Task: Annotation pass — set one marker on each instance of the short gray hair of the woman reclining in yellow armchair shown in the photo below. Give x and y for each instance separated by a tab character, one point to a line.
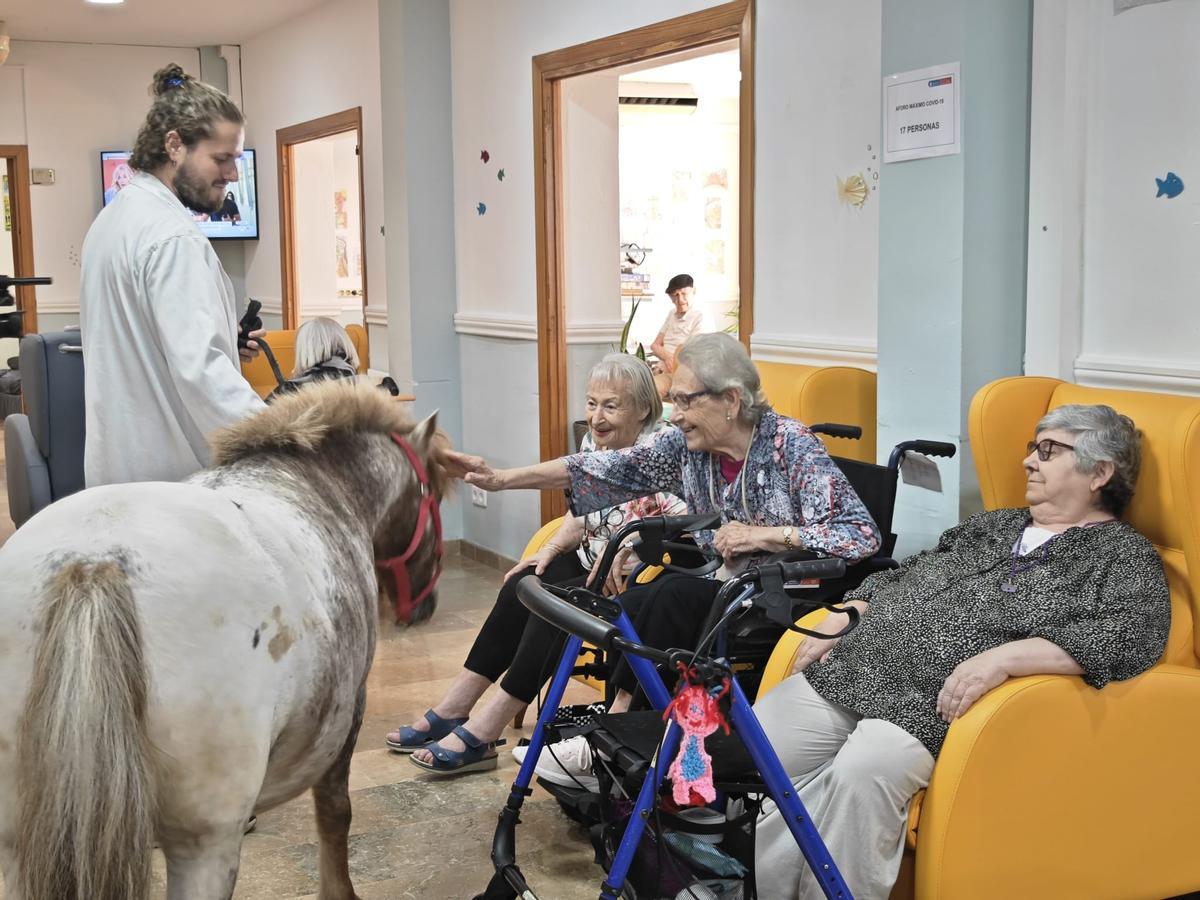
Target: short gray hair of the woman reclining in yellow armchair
1101	435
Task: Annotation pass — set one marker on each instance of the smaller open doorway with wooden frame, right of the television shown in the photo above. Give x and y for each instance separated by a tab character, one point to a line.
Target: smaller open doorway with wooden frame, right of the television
325	271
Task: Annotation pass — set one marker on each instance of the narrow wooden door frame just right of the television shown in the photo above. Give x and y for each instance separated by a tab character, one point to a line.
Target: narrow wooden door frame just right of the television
285	141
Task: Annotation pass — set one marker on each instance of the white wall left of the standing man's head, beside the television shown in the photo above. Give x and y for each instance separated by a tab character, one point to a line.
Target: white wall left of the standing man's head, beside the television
68	103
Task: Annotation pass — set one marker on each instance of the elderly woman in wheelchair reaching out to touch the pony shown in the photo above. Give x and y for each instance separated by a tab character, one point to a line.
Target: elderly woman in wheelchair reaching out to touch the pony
770	478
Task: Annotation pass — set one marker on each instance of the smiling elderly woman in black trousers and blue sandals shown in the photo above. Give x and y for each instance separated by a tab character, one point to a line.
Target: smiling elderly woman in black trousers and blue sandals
623	409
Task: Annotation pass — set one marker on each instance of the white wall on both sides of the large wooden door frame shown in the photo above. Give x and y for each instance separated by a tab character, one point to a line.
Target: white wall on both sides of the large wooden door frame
818	83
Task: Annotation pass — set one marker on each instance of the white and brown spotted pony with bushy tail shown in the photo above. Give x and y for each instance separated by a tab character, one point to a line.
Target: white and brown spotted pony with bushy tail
175	657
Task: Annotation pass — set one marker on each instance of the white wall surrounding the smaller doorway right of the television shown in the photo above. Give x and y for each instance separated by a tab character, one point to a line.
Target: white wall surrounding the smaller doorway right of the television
321	63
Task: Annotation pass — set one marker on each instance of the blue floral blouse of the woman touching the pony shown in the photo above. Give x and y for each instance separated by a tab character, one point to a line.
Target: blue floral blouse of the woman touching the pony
788	478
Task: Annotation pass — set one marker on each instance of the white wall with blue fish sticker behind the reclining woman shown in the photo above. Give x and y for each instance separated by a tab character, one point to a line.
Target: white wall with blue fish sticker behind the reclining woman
1113	268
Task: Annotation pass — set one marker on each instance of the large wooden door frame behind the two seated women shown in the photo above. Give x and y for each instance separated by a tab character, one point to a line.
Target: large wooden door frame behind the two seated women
700	29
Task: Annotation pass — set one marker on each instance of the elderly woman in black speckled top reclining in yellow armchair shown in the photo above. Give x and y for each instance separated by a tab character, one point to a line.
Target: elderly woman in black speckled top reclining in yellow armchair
1060	589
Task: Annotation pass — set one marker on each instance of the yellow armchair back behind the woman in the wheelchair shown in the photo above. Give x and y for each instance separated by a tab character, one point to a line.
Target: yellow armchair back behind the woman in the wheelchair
826	394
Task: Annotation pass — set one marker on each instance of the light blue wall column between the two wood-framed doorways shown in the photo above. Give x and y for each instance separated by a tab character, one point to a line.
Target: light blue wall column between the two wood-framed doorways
419	195
